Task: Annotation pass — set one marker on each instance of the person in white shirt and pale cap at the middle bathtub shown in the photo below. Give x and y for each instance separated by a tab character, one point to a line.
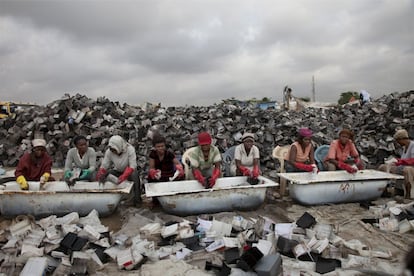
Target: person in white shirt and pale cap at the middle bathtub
247	157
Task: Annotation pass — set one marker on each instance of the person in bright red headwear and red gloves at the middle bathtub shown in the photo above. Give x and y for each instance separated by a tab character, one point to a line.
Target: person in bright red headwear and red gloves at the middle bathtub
204	161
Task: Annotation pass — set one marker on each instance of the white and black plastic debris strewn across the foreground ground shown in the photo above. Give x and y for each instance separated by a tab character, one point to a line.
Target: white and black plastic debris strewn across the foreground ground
227	243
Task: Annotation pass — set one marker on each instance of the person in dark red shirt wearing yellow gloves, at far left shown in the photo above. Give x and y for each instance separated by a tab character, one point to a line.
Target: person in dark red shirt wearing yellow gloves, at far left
34	166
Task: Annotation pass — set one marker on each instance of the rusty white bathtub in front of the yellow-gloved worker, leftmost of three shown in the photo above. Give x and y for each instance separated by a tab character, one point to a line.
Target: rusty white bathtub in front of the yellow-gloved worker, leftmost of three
57	198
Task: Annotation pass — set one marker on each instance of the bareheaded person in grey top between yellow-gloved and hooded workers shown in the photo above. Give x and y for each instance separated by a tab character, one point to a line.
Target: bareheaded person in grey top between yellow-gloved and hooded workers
81	157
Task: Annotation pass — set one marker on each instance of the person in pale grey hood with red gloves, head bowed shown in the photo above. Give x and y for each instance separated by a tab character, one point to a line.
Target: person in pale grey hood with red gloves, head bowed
120	160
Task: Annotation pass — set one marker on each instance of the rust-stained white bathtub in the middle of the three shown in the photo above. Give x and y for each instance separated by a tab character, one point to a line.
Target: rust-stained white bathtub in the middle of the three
189	197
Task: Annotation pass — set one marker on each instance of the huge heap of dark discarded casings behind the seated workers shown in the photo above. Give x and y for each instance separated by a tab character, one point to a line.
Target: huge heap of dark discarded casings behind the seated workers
60	121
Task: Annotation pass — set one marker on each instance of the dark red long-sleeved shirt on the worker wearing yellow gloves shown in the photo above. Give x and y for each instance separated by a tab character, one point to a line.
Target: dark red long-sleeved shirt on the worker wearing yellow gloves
33	168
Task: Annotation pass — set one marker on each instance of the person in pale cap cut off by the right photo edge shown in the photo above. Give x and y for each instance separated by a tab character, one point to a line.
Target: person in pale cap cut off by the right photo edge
405	164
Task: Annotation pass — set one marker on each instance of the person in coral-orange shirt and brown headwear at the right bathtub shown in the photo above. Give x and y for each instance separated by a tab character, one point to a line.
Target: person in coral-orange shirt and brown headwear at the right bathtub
343	154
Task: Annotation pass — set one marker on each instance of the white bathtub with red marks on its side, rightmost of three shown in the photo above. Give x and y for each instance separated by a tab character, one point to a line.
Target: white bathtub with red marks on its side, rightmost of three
337	186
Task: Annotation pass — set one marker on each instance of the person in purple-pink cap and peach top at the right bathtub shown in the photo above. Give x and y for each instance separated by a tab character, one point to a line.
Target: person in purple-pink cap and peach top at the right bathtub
301	153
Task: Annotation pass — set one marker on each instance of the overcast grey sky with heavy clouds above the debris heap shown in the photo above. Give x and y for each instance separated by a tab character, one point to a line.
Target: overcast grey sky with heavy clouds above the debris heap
199	52
